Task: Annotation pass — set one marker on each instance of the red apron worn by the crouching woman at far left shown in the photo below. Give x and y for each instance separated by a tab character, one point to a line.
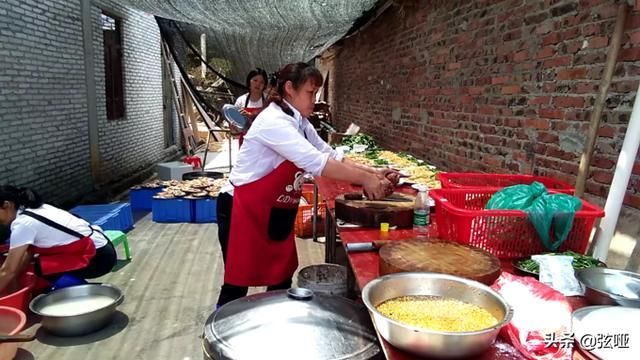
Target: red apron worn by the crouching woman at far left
65	258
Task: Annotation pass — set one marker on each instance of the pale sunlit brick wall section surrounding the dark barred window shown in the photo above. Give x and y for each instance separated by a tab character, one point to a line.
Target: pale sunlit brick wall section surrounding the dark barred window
137	140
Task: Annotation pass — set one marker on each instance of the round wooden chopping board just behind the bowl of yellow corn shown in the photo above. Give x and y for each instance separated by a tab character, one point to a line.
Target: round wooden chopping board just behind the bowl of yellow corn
441	257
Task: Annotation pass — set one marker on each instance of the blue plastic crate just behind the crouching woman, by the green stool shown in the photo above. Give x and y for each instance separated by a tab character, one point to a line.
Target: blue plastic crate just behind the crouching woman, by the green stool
107	216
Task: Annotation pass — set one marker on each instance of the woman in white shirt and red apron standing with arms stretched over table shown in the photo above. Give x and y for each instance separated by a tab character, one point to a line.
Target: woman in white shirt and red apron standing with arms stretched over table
279	149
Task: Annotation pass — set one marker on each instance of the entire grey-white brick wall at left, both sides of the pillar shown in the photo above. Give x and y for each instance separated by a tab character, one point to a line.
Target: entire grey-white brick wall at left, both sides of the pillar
44	143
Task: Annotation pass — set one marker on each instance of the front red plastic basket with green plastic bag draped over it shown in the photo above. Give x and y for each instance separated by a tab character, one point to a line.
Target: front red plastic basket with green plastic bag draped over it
507	234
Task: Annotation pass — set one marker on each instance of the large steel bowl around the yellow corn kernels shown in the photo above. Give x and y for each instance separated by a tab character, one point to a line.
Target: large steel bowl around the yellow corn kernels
429	342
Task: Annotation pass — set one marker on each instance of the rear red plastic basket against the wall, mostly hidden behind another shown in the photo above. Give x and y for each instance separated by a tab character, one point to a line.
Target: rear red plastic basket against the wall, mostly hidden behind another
479	180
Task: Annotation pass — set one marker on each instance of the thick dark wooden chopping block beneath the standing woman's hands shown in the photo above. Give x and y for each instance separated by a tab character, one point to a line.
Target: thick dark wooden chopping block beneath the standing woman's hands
396	209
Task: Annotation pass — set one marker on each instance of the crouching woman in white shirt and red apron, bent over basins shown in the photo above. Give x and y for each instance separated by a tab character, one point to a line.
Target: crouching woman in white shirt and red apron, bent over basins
65	244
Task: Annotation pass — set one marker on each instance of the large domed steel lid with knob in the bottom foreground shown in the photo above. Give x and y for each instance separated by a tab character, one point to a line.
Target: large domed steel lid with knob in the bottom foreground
296	324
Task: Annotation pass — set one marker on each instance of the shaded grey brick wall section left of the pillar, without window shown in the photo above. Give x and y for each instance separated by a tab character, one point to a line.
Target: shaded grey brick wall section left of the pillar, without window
43	98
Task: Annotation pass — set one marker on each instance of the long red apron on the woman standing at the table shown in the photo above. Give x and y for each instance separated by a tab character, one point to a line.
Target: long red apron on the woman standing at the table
262	249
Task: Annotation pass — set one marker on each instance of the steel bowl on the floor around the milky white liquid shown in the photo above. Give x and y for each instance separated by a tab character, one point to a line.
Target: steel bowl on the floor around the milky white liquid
81	324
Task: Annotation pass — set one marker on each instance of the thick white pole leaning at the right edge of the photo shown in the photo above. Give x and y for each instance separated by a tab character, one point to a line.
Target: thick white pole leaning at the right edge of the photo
624	167
